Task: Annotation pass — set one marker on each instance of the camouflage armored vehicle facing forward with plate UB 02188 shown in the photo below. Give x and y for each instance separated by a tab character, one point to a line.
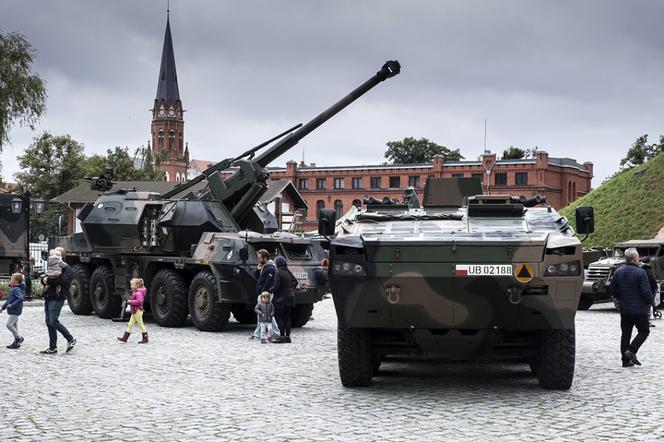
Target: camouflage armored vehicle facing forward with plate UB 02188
498	276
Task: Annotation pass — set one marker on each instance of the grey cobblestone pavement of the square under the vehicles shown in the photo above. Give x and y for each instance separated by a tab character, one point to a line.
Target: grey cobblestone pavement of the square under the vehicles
187	384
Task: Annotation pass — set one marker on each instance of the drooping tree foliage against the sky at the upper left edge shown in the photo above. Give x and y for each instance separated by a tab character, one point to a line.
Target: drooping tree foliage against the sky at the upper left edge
22	93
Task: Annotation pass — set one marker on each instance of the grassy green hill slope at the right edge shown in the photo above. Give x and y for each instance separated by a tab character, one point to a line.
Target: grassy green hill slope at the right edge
628	206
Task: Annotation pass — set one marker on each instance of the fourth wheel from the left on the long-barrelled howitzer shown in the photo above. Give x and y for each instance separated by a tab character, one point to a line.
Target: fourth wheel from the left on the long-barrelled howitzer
207	313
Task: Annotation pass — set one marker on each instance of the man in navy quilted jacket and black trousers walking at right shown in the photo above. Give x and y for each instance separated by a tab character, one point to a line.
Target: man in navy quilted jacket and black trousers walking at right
630	285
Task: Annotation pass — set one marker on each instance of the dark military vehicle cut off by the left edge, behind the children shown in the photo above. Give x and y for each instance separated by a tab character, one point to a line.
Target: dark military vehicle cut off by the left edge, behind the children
12	236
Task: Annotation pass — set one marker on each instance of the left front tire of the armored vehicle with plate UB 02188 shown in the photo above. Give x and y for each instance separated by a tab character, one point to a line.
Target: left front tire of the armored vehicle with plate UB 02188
356	363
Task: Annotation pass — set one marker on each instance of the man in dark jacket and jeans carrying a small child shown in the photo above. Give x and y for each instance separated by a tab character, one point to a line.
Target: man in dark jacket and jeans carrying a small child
56	290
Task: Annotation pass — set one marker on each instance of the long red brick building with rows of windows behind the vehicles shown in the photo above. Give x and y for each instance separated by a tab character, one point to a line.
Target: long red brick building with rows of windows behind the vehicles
562	180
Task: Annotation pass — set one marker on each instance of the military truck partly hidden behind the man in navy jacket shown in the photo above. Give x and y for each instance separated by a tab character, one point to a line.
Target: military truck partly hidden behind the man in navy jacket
599	274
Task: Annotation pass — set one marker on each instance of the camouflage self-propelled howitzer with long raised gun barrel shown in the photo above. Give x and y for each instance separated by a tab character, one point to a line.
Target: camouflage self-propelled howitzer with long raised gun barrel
195	246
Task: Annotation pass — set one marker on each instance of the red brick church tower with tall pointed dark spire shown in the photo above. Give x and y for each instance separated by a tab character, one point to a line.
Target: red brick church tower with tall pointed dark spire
168	146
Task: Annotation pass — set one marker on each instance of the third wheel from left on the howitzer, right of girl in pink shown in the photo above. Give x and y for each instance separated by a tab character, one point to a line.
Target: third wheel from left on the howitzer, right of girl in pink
168	298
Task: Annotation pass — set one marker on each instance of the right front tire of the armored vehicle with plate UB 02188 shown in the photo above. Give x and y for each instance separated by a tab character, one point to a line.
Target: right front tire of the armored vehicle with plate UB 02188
555	360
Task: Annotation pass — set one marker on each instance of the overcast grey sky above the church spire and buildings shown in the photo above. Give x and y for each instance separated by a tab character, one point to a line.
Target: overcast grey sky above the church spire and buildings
579	79
